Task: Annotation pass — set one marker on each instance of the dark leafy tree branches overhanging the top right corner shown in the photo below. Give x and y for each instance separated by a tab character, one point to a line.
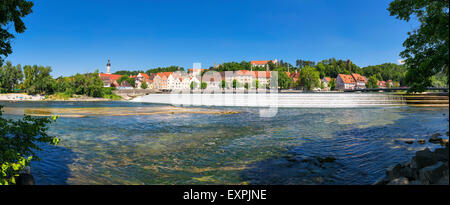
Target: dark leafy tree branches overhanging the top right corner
426	48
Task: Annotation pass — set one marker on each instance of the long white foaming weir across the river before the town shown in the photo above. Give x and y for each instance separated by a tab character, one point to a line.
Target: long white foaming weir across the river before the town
288	100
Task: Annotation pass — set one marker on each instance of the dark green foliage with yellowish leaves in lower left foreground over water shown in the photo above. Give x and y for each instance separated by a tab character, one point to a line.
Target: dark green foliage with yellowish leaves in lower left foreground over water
19	141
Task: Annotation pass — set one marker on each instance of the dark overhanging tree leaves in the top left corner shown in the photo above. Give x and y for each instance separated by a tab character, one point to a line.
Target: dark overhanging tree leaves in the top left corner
12	12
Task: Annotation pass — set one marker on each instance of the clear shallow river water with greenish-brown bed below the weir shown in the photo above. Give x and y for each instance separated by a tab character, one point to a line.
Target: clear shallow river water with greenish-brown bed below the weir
232	149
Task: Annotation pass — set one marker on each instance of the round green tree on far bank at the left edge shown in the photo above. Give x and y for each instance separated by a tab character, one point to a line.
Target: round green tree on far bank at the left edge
10	77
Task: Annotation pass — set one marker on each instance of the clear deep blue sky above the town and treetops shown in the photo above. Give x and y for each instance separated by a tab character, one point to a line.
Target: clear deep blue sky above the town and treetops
78	36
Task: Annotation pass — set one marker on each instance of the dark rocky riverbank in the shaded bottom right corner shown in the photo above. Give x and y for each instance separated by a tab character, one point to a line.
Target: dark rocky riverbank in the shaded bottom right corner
425	168
